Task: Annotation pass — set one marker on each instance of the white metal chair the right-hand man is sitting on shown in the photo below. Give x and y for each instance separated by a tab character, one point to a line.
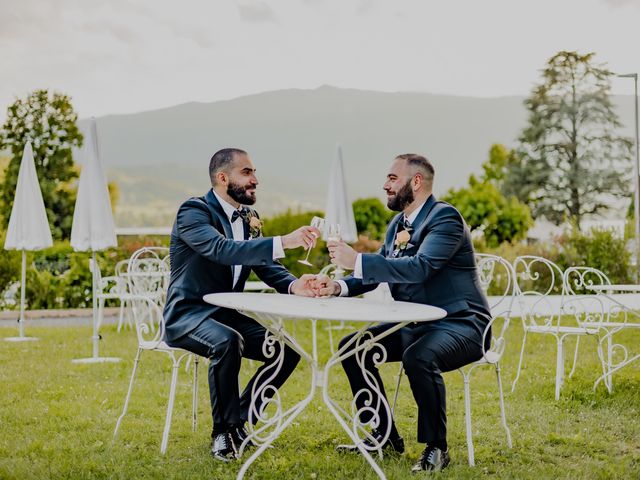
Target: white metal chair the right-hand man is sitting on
497	279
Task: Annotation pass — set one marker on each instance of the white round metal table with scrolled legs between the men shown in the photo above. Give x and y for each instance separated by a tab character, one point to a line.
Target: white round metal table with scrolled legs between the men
270	310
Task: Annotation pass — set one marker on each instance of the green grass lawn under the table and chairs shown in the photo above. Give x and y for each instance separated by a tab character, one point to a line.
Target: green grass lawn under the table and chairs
57	418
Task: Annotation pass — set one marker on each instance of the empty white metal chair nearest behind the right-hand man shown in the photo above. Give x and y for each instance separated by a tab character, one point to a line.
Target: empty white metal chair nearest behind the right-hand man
540	295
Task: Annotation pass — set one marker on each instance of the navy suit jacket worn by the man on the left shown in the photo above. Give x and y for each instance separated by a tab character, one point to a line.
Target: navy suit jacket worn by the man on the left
202	254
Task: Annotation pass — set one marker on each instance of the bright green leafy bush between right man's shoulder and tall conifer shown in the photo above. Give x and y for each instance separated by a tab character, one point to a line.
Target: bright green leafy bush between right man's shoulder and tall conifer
486	209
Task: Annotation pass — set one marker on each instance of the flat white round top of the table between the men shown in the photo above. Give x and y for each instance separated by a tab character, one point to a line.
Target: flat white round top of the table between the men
331	308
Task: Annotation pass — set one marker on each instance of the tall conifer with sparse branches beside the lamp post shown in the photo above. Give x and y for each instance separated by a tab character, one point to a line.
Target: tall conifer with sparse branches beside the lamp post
572	162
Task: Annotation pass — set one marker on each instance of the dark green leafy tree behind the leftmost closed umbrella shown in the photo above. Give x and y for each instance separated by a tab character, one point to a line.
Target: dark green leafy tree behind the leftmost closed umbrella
49	122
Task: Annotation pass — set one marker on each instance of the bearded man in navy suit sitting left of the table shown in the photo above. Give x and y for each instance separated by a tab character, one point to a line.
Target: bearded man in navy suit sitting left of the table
212	251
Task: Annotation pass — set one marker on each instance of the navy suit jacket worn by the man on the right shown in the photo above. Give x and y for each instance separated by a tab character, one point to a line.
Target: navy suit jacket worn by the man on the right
438	268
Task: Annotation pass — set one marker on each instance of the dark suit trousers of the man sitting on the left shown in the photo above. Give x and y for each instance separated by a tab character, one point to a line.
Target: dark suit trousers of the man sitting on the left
224	341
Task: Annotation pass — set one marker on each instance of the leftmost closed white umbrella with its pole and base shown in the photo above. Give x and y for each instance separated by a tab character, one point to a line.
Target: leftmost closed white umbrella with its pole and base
28	225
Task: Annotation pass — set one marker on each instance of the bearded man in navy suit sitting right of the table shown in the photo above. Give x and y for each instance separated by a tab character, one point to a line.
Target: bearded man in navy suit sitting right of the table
428	258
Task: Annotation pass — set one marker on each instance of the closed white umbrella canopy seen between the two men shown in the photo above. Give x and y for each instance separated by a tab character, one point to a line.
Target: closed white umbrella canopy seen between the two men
339	209
